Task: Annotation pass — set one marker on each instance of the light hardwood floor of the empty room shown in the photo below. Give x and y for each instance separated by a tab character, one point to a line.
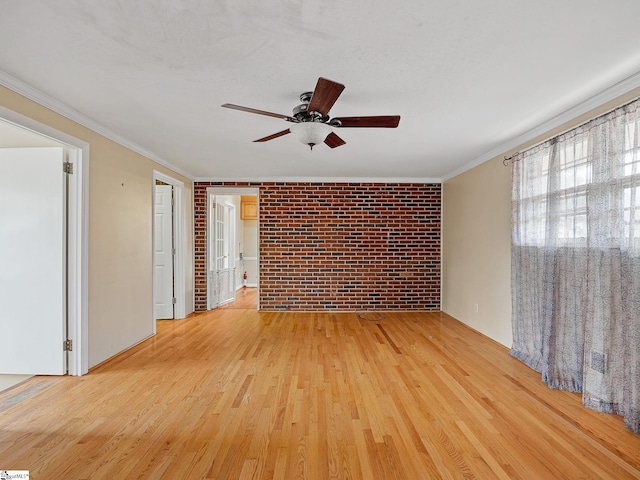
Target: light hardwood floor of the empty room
277	395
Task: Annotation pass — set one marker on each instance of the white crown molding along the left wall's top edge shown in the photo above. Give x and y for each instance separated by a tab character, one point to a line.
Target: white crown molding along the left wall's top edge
45	100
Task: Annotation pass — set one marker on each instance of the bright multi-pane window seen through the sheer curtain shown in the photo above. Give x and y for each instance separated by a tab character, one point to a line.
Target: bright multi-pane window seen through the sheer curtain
555	207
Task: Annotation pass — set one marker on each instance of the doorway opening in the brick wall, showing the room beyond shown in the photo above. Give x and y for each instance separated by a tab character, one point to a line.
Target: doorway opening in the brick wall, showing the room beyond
232	249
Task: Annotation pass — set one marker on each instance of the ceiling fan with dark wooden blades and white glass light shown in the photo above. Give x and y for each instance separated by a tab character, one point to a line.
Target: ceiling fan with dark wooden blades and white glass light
311	122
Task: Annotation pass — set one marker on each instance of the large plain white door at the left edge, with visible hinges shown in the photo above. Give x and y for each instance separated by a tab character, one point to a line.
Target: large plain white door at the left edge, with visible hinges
32	261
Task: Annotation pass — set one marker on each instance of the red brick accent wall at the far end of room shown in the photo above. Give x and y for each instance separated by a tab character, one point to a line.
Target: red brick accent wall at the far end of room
340	245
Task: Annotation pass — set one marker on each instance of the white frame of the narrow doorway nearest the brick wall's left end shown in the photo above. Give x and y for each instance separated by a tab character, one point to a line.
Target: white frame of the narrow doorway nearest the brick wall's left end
178	243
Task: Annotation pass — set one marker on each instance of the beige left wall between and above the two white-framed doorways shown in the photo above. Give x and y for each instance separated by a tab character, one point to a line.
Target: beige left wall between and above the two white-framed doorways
120	234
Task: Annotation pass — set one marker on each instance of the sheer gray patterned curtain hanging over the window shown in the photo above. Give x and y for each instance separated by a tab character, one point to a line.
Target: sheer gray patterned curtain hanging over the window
576	262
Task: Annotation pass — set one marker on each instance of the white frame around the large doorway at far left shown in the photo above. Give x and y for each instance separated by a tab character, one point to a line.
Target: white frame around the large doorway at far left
77	152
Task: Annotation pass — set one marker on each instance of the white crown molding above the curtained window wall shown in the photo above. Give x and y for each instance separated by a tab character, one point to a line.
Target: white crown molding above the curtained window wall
607	95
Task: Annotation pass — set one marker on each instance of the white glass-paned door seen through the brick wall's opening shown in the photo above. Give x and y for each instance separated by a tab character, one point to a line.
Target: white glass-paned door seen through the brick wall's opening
222	275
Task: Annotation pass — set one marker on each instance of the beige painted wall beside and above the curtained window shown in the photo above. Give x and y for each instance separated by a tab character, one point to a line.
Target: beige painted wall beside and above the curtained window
476	239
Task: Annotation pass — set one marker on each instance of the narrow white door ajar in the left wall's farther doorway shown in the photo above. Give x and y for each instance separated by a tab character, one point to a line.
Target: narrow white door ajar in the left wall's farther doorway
163	253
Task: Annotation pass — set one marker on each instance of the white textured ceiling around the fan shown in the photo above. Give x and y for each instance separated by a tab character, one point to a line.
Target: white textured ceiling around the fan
469	78
